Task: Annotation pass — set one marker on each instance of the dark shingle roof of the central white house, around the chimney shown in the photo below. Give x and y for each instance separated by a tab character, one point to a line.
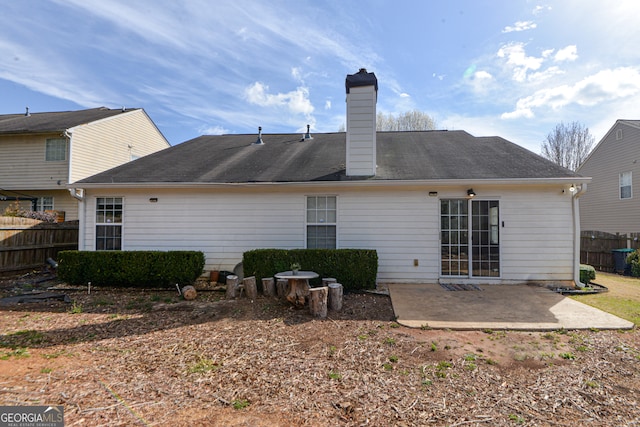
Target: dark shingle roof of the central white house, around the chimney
425	155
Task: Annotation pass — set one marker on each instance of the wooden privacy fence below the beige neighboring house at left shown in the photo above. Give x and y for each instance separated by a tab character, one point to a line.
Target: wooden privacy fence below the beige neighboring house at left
27	243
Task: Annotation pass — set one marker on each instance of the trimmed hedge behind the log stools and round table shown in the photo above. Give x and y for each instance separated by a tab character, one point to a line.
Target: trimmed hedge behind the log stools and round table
353	268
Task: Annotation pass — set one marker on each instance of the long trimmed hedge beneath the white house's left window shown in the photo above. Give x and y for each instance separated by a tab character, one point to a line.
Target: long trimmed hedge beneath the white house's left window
130	268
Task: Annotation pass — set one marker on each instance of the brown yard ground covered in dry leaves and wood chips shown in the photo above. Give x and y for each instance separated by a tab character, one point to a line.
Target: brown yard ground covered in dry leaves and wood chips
129	357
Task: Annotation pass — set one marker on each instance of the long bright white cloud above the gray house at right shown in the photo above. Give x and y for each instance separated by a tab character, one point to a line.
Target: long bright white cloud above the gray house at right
606	85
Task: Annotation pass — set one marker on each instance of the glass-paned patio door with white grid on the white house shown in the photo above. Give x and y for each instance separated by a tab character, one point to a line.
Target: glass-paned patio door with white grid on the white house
470	238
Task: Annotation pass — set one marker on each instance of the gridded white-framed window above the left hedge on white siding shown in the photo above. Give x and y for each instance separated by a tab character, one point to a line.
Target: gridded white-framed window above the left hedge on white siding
109	223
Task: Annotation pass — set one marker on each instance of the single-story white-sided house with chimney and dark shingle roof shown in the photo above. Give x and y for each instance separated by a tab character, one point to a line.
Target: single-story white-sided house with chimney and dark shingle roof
436	205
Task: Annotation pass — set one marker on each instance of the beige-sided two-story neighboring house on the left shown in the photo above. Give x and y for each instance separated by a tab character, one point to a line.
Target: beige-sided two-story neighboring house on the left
41	153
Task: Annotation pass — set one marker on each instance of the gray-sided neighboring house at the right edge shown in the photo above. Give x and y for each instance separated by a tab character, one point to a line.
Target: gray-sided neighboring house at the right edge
612	203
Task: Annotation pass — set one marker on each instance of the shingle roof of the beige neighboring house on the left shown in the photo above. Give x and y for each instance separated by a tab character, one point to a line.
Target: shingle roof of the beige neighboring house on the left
53	121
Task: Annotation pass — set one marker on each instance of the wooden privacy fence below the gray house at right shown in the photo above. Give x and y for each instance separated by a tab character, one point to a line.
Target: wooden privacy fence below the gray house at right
596	248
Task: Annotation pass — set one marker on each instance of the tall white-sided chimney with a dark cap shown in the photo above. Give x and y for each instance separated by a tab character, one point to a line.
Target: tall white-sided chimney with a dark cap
362	94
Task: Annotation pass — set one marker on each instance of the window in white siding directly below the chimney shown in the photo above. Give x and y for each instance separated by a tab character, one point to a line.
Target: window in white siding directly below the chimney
321	222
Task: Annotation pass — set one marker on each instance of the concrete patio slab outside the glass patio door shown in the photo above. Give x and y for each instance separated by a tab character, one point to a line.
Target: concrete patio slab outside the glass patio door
514	307
